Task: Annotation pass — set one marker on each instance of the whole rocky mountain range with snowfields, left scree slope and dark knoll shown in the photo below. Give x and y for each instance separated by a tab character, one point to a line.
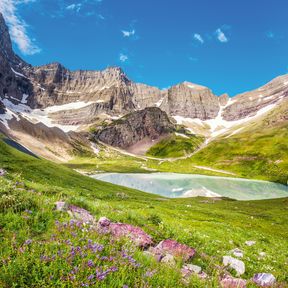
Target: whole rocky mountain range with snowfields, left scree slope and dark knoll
52	110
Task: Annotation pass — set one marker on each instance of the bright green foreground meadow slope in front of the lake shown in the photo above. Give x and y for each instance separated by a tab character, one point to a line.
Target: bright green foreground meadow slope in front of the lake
213	228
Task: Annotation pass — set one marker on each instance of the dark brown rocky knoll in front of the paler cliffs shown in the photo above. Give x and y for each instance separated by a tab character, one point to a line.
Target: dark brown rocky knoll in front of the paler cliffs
150	122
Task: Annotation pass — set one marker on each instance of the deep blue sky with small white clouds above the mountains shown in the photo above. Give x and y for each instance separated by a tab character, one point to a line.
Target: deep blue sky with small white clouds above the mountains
229	46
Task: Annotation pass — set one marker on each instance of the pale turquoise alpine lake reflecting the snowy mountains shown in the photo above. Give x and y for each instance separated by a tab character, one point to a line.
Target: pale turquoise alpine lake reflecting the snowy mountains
189	185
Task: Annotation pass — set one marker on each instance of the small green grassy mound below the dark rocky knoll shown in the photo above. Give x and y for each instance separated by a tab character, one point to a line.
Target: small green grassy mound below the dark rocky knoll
175	146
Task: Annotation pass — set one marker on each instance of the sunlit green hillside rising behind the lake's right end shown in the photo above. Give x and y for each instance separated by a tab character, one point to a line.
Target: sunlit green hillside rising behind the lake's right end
260	151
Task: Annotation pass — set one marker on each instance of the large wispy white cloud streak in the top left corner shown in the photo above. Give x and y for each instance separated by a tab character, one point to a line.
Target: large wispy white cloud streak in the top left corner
17	26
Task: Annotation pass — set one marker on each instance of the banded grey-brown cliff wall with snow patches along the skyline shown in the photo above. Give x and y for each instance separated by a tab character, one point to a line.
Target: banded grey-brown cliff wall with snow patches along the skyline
70	100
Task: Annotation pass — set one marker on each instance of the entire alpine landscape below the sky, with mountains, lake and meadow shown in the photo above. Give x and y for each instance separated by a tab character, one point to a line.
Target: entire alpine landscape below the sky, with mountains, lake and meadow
105	182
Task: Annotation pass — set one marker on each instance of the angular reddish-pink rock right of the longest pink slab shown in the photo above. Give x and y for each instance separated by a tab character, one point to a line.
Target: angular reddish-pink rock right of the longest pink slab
174	248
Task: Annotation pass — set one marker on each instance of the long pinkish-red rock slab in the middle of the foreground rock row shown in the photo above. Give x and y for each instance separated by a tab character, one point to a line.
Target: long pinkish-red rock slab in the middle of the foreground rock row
119	230
